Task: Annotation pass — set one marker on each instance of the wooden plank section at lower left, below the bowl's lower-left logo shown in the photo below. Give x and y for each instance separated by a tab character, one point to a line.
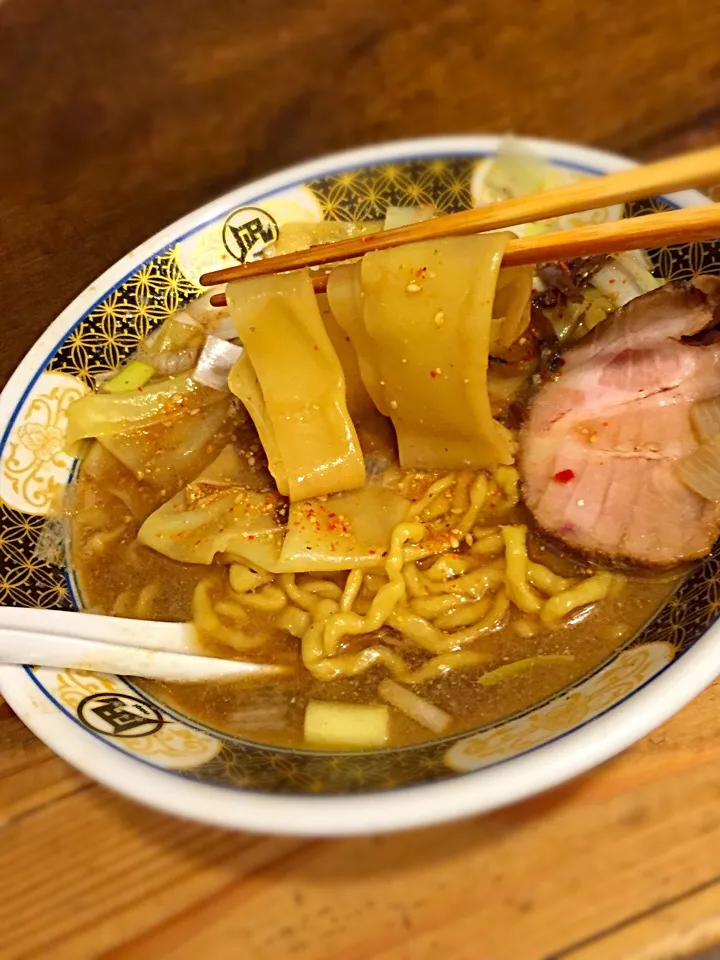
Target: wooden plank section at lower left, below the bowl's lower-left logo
91	870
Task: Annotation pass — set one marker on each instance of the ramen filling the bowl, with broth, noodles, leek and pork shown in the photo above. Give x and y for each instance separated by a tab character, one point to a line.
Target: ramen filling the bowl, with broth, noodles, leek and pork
435	495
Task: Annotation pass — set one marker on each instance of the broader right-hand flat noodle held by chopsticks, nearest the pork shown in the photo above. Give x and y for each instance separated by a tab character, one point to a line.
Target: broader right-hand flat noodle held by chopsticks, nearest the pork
428	312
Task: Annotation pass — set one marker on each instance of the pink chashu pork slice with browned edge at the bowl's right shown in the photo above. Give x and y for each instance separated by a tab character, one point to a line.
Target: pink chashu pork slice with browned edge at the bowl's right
600	448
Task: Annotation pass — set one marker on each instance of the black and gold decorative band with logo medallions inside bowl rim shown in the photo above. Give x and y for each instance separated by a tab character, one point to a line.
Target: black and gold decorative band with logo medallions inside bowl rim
33	471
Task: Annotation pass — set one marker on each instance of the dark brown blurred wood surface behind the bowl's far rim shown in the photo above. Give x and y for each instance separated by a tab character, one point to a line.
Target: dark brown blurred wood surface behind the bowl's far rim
167	123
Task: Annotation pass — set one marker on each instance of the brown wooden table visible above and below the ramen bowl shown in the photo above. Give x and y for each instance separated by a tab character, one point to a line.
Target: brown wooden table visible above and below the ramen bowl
116	118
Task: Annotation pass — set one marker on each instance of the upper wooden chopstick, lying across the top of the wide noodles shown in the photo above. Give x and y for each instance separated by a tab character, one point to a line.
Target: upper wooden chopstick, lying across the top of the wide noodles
692	169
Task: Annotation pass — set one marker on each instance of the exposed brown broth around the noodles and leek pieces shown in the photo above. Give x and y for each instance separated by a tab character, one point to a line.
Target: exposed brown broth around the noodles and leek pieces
107	508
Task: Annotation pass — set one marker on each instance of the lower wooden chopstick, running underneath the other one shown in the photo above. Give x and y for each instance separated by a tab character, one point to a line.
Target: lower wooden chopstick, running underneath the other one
653	230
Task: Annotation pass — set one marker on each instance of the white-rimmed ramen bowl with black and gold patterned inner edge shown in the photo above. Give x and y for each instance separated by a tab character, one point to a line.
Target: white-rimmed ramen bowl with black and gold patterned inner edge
114	731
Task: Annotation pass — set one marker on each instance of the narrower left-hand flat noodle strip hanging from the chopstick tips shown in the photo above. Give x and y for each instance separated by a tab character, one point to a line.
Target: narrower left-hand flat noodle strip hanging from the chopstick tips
301	383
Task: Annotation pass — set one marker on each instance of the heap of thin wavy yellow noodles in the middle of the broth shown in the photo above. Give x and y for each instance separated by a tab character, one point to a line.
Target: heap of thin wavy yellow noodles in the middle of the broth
456	601
